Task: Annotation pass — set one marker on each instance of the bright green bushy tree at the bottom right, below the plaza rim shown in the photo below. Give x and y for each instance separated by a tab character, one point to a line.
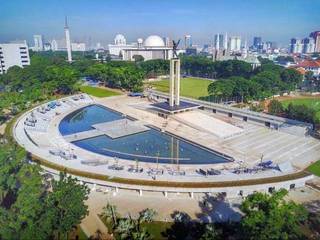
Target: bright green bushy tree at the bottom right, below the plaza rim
271	217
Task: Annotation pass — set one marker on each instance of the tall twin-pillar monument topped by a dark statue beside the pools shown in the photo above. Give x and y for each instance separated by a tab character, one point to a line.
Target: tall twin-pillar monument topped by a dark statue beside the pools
174	97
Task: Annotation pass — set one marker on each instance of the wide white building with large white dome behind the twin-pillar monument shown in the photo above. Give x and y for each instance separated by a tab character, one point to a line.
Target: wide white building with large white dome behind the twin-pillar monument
152	48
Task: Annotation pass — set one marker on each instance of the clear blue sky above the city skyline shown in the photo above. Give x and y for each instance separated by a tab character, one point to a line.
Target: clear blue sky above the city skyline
101	20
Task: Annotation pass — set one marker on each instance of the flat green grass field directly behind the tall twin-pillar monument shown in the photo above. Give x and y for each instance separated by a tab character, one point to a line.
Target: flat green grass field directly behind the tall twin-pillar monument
190	87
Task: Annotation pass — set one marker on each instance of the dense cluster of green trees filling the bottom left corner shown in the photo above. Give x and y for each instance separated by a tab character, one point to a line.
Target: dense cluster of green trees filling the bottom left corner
32	208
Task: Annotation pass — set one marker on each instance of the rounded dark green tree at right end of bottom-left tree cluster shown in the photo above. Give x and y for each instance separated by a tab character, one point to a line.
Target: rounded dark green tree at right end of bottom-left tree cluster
65	204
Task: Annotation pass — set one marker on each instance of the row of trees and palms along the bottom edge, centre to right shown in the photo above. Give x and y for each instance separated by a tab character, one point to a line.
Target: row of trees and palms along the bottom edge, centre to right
265	216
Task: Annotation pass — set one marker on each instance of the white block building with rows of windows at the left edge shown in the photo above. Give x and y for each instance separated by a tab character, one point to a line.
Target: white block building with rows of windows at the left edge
13	54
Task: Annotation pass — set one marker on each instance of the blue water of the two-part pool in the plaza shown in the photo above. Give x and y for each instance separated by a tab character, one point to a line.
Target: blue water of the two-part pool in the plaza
149	146
